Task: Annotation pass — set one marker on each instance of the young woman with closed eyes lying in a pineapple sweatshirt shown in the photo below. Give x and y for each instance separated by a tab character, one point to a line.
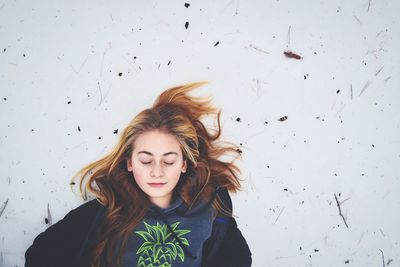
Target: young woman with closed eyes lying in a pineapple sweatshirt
160	197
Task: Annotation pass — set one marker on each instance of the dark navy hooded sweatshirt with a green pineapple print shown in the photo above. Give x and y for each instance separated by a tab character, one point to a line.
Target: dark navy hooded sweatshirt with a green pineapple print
69	242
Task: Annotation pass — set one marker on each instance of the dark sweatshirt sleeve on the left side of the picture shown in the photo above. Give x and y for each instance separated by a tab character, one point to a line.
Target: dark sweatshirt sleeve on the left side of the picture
61	243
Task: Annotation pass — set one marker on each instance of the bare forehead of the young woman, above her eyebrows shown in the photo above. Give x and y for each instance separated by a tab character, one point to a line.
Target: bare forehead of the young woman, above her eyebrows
156	142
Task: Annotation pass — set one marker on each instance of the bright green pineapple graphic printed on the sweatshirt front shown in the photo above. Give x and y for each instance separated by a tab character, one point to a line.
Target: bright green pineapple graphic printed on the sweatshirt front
160	248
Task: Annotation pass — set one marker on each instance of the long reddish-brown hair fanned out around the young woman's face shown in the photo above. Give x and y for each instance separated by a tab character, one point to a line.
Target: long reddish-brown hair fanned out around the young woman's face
108	180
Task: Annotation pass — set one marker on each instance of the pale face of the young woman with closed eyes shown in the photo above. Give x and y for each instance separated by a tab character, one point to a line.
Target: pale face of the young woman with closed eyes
157	163
